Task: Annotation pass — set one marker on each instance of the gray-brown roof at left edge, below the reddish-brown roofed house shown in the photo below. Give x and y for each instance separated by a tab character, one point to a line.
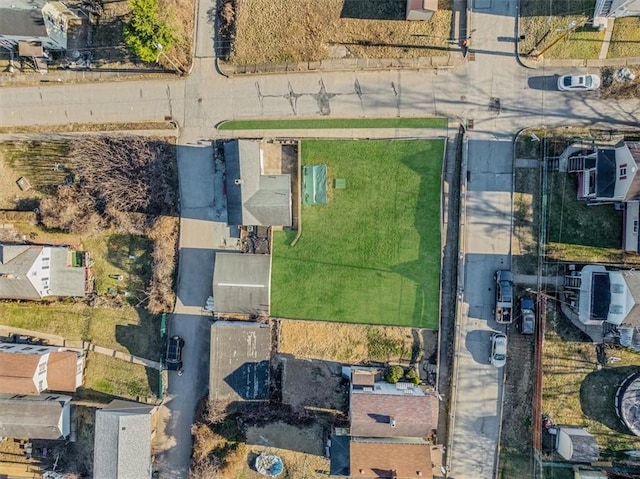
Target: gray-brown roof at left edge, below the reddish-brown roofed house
34	418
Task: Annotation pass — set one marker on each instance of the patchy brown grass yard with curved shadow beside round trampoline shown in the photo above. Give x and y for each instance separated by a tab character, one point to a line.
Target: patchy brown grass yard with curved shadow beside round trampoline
576	393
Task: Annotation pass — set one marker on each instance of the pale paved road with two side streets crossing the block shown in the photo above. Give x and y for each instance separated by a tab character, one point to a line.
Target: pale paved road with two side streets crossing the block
205	98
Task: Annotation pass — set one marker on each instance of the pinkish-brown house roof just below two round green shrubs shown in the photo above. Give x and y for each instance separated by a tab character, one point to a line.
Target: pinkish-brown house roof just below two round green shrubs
392	415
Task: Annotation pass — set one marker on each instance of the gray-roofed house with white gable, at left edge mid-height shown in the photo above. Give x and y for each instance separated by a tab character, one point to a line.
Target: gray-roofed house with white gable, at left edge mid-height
36	272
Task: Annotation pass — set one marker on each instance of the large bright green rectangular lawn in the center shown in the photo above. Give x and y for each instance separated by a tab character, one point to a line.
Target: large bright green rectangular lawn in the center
372	254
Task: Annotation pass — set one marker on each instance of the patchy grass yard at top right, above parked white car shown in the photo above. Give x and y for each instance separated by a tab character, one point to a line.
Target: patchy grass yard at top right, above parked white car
544	22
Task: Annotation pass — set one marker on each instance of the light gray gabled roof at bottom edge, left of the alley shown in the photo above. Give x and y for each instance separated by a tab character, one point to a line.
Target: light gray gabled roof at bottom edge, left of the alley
122	444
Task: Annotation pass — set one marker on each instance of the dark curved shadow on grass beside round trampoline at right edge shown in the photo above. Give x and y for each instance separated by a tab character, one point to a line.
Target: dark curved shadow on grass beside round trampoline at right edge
598	392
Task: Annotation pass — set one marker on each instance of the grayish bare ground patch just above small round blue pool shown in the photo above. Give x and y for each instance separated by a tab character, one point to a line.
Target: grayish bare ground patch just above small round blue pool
285	436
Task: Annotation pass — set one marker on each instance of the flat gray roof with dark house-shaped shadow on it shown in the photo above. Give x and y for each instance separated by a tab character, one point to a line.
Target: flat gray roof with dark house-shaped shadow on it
239	361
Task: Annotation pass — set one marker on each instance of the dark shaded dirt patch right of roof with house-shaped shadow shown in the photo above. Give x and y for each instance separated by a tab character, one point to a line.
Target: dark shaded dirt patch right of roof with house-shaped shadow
312	384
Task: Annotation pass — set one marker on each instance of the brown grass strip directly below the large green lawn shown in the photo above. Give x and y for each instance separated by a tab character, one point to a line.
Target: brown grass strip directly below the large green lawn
341	342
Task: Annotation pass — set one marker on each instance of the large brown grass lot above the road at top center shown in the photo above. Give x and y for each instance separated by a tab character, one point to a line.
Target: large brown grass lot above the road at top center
277	31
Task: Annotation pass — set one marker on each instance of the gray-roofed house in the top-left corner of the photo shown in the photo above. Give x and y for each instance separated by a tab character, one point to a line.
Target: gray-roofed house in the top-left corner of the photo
35	20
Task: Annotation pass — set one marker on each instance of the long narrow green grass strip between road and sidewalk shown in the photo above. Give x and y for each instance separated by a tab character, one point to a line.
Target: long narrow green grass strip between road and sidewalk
311	124
